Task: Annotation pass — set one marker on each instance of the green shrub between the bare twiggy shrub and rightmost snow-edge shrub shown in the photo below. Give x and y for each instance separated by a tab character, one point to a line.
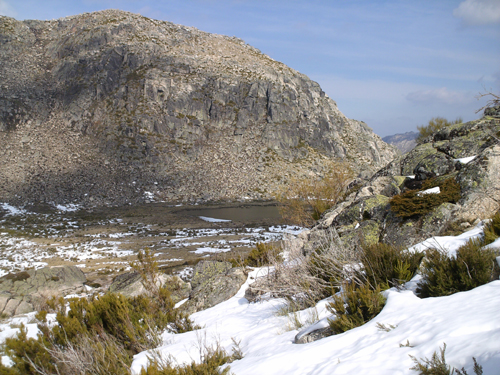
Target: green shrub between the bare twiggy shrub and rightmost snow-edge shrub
388	265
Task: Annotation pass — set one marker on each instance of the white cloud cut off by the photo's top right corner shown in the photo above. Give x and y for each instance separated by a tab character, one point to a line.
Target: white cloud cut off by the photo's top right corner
478	12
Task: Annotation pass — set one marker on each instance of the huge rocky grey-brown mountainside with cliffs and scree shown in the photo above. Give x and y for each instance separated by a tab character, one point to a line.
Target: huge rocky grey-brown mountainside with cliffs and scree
112	107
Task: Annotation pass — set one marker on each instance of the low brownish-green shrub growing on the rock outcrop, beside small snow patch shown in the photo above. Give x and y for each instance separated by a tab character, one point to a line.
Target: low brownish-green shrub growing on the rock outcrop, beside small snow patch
413	203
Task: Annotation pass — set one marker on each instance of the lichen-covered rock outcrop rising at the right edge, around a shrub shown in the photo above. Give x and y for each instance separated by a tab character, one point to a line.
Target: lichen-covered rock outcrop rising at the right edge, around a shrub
468	153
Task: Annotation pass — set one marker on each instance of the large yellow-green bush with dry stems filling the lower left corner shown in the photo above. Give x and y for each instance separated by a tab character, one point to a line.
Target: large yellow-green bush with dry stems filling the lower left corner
98	335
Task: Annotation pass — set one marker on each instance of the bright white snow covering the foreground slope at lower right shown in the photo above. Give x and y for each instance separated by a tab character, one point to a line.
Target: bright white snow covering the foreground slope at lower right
468	322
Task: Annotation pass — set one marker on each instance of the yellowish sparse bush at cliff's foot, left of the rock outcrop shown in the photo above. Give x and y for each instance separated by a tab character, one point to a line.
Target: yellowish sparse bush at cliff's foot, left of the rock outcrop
303	201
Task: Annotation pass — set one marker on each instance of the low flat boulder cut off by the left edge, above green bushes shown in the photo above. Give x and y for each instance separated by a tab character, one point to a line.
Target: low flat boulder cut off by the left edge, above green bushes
26	291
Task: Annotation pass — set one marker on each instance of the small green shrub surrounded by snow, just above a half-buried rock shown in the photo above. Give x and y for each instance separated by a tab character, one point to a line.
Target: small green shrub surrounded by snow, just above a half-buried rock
354	307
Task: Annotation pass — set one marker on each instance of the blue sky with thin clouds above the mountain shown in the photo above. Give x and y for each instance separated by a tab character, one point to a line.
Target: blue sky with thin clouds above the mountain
391	63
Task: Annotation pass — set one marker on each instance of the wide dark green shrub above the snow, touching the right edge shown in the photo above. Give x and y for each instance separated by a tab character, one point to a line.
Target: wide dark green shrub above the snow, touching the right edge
443	275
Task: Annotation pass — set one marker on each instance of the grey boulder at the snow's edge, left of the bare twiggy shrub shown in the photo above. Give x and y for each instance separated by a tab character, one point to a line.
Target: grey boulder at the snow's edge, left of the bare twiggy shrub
213	282
